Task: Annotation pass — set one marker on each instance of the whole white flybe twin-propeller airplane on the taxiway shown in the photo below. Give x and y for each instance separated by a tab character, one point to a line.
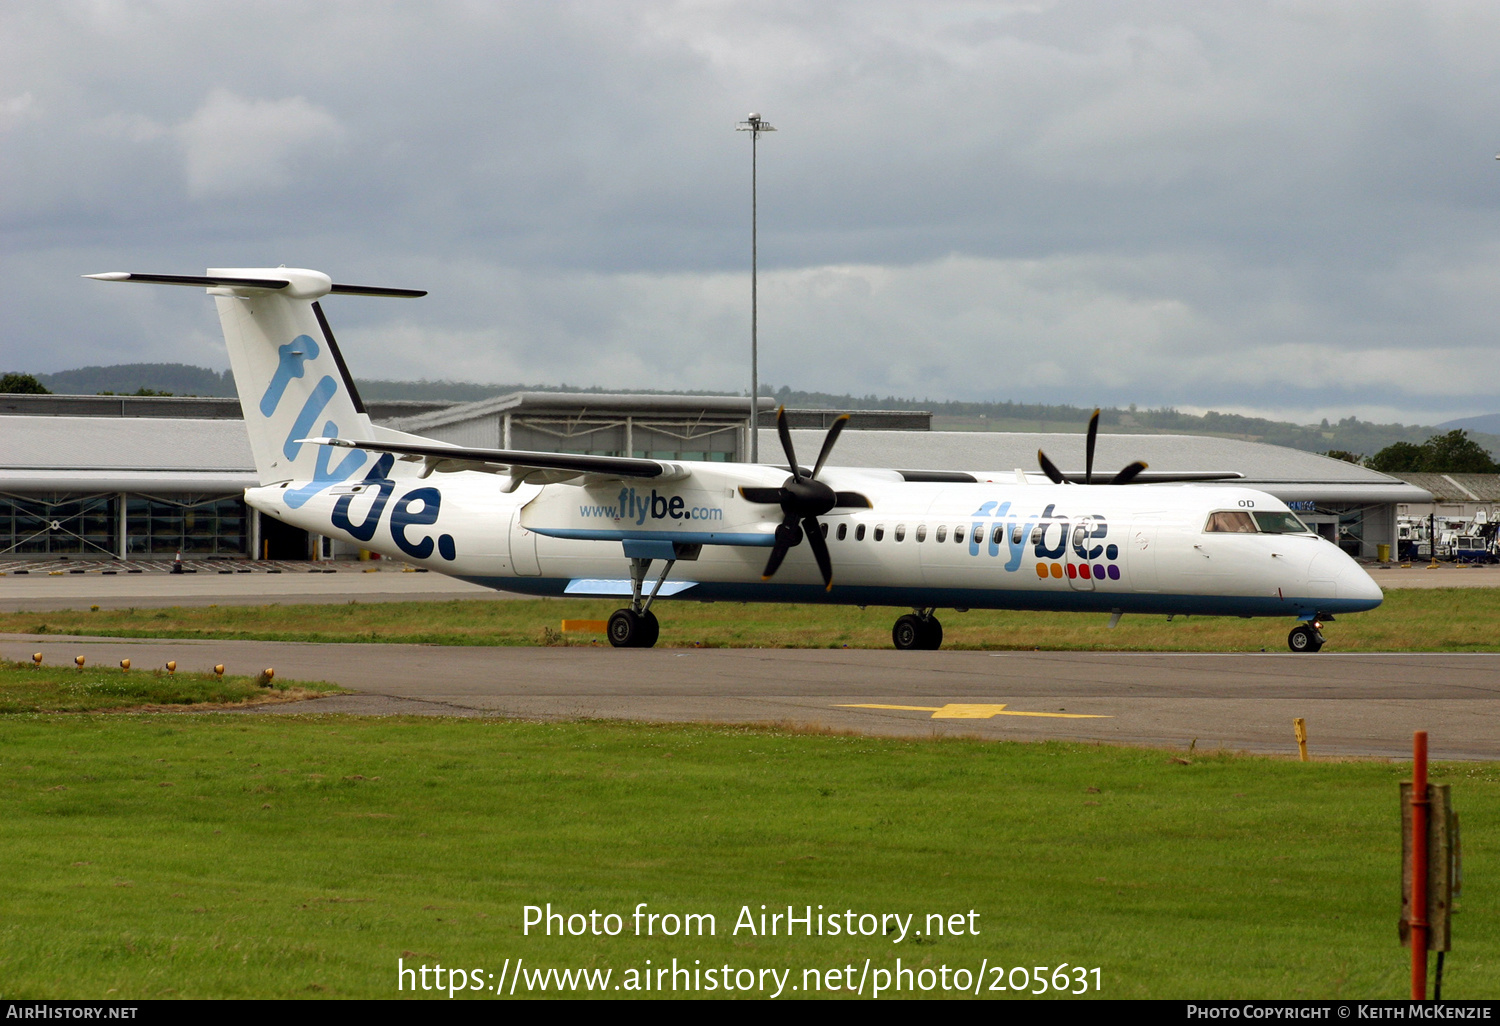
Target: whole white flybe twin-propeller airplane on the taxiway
559	524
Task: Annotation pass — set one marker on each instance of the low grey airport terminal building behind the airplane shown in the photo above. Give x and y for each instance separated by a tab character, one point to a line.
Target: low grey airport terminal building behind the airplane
127	478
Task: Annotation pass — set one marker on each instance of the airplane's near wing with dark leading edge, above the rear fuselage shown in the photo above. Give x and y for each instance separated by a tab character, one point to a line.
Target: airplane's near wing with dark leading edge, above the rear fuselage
520	466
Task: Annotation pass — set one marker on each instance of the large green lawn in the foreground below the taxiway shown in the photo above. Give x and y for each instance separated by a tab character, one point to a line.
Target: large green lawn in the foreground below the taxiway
226	856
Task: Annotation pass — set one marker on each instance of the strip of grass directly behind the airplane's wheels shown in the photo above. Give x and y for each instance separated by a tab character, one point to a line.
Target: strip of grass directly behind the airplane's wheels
1456	620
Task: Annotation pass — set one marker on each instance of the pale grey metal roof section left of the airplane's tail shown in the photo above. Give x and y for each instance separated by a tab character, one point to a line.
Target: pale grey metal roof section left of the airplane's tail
125	445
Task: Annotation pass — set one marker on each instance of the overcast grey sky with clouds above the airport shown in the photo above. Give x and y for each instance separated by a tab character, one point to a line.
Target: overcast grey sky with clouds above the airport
1279	208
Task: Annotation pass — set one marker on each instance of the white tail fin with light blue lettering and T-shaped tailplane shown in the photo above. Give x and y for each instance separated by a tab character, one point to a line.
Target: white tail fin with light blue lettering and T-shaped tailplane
289	371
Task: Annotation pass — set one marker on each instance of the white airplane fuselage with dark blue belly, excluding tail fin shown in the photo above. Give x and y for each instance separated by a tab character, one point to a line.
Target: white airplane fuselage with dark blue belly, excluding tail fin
997	545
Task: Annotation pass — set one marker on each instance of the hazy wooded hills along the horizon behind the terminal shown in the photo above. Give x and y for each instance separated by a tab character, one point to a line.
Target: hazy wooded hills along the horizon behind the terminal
1351	434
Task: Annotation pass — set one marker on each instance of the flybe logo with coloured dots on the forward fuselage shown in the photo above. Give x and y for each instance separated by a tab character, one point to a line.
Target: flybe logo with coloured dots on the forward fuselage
1061	547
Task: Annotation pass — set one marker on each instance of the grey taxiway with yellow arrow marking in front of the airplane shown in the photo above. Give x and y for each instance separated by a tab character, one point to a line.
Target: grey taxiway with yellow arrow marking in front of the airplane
1354	704
